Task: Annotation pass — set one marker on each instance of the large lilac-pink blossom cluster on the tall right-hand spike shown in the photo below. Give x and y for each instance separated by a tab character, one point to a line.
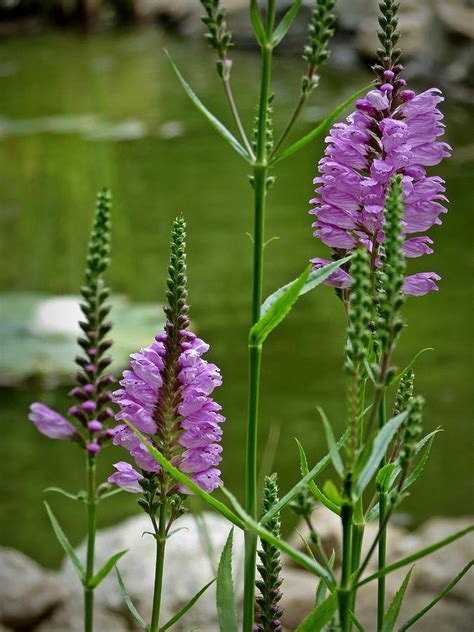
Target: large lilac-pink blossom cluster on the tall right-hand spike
391	132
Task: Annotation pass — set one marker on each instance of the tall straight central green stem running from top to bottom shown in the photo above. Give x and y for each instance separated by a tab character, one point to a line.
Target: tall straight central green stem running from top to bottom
260	170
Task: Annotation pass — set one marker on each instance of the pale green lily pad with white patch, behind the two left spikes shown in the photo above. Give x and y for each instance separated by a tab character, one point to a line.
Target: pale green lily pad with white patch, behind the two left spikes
39	332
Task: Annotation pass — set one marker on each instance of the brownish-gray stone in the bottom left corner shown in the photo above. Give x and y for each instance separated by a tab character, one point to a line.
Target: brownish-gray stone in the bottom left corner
27	591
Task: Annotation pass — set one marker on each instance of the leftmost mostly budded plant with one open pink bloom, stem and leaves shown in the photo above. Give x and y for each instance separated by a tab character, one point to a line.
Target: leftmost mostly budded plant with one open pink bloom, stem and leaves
90	416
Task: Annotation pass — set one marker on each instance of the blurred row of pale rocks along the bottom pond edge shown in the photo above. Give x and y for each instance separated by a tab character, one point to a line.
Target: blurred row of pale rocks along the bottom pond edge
40	600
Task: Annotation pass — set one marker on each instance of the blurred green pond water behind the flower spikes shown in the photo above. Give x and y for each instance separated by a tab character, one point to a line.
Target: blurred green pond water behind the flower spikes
80	112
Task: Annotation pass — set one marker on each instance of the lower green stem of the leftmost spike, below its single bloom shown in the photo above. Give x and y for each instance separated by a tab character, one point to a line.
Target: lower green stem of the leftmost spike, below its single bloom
91	527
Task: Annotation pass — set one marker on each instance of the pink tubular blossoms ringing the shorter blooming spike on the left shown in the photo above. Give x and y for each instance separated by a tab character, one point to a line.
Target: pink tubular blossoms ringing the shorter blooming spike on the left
195	446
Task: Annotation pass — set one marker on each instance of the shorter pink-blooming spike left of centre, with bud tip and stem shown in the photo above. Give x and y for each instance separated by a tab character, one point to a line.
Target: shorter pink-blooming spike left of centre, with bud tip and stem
166	395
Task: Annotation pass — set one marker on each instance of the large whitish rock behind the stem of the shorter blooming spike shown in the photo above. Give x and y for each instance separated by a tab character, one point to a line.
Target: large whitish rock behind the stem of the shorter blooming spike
187	568
